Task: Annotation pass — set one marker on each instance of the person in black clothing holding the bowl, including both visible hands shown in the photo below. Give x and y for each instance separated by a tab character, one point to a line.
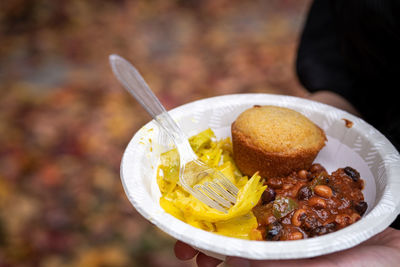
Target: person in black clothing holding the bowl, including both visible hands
348	57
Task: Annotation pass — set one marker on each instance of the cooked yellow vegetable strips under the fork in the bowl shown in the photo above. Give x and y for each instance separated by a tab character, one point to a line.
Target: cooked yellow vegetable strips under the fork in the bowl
239	221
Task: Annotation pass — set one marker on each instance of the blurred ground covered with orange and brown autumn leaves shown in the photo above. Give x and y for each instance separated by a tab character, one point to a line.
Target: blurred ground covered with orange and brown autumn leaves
65	120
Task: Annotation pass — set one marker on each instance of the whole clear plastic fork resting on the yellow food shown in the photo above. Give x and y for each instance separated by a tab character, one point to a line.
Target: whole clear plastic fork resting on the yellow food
219	192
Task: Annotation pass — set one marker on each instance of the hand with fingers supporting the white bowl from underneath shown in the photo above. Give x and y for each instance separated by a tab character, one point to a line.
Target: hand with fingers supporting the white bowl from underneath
380	250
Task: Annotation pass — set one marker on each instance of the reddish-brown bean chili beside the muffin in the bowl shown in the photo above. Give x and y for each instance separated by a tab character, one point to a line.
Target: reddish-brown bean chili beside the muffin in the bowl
310	203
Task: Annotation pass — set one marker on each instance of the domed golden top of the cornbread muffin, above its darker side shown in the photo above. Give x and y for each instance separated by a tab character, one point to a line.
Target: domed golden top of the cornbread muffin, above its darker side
278	130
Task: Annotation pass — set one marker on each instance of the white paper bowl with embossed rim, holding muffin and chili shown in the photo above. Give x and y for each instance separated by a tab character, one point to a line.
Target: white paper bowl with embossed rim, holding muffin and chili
361	147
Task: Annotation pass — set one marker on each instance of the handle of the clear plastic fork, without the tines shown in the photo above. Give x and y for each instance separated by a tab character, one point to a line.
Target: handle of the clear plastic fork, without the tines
134	83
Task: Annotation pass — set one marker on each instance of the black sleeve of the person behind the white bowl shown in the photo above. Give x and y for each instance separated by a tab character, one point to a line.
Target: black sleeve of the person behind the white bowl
352	48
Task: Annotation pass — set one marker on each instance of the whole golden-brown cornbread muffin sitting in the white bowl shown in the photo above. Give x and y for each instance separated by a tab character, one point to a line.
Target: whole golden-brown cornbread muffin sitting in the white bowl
274	141
